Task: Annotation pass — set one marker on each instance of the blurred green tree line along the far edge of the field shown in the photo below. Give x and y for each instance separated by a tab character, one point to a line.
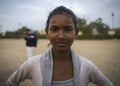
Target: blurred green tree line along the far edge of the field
94	30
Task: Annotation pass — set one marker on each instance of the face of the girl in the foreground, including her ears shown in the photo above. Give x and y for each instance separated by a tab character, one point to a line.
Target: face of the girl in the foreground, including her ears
61	32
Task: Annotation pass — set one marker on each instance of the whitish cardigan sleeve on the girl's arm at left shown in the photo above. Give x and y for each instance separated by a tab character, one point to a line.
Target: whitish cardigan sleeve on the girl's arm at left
19	75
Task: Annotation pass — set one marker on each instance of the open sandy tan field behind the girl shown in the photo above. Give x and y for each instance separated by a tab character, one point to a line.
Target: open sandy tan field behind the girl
104	53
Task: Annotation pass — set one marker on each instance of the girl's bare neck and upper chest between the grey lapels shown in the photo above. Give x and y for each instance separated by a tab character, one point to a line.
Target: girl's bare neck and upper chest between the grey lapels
62	67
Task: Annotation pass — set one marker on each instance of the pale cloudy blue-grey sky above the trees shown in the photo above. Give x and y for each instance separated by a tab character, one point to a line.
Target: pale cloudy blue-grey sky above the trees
34	13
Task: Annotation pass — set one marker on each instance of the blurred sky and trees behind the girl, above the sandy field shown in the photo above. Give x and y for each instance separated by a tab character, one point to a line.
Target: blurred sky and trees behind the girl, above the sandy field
96	19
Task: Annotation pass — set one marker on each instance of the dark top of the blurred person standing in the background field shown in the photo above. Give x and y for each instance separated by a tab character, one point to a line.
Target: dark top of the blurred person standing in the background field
31	40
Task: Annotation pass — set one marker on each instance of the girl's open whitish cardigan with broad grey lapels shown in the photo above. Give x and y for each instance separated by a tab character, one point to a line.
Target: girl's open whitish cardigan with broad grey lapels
40	69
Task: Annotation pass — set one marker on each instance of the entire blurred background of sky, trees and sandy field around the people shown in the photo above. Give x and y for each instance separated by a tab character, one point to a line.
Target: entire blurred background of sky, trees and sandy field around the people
98	22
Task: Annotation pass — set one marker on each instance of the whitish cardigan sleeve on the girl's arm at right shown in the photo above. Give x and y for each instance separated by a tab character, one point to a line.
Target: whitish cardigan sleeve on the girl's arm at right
97	77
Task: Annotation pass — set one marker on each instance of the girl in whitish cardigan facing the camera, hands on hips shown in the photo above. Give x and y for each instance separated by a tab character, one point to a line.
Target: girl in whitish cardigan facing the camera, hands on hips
59	66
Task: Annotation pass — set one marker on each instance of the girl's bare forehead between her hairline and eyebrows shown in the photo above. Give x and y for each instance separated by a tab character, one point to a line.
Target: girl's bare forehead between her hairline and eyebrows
61	18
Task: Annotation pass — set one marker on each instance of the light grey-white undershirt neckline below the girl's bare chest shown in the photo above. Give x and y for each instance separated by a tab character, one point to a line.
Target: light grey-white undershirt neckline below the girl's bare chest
63	83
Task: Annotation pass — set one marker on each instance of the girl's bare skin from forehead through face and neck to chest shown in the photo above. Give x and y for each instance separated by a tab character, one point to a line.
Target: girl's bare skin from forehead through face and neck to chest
61	33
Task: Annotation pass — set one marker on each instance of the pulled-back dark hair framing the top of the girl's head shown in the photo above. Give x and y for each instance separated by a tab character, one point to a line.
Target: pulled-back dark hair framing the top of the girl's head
61	10
